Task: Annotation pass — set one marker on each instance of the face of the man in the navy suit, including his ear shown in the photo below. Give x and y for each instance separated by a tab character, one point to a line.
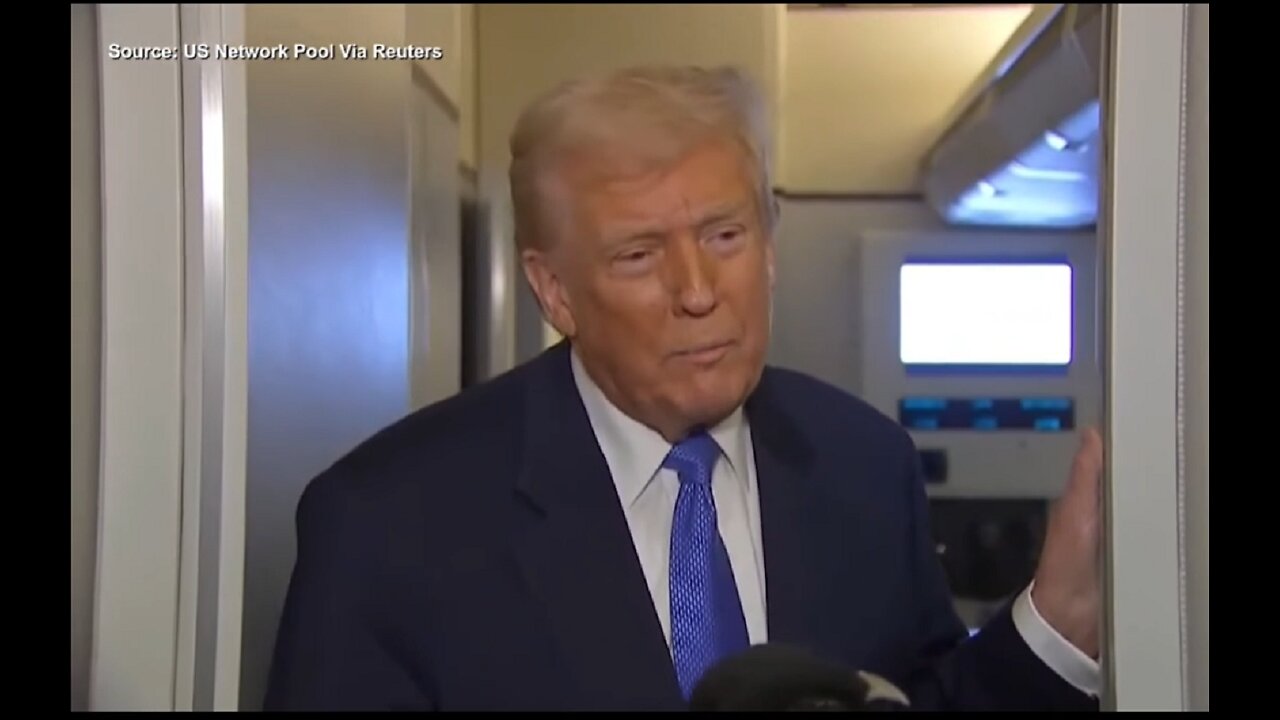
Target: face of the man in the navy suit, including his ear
664	281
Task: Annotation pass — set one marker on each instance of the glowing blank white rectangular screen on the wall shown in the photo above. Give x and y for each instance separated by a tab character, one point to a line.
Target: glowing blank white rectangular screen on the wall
986	315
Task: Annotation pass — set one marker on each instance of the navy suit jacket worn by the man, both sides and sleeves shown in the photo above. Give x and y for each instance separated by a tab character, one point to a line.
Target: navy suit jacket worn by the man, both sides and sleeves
476	557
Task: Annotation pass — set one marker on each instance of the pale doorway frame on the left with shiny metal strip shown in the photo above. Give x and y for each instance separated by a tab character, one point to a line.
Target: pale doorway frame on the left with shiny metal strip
171	521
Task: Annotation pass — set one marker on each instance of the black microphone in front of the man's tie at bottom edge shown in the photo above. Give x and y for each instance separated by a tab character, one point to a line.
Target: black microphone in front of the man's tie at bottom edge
776	678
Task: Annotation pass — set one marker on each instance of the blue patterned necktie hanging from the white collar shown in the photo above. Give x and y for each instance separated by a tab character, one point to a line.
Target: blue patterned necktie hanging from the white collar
707	621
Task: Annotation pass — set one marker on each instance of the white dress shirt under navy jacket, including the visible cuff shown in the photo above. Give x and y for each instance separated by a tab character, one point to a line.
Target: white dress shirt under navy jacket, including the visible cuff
648	494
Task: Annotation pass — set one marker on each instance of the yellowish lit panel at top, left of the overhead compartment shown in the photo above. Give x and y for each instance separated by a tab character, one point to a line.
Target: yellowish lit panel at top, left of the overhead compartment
867	90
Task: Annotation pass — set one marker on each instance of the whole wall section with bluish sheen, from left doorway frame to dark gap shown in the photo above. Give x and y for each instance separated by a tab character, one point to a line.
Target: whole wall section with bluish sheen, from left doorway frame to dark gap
363	222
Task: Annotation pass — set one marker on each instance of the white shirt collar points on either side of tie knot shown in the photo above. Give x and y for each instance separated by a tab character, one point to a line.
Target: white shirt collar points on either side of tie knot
636	453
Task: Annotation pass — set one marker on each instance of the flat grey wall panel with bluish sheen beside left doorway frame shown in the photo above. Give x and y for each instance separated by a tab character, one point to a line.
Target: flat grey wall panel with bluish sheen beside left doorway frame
330	280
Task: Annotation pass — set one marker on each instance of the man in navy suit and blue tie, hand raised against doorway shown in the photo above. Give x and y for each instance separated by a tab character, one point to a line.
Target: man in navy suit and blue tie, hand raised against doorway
596	528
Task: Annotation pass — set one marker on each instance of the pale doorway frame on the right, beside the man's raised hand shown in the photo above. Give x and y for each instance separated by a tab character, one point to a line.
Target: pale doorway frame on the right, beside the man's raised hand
1145	235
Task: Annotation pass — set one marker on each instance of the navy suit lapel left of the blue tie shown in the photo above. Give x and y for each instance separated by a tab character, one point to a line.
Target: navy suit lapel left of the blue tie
577	553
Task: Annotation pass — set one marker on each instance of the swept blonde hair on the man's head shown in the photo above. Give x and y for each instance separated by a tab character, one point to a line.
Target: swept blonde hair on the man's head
632	121
